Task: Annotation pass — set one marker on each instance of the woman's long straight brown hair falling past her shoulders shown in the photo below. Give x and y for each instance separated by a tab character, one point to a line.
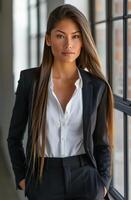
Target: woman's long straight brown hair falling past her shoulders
88	59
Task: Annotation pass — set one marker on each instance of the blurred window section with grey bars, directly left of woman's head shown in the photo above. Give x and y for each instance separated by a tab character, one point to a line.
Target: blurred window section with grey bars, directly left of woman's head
37	12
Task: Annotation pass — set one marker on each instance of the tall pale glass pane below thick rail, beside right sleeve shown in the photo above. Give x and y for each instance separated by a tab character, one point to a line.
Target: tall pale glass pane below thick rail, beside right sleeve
118	162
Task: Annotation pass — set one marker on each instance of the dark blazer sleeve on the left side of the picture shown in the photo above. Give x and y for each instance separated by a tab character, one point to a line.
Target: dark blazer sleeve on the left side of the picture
16	131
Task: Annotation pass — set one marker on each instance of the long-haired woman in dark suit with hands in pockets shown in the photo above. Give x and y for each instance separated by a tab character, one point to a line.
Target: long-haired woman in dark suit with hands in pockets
68	105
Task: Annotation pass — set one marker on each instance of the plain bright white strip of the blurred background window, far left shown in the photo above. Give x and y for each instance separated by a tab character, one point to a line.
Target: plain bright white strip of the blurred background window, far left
20	38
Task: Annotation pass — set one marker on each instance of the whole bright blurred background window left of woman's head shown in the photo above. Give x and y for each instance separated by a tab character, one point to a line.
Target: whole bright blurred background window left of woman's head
29	26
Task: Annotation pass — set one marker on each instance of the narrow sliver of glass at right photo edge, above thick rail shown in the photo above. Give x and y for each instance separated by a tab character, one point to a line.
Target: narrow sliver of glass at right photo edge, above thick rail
129	60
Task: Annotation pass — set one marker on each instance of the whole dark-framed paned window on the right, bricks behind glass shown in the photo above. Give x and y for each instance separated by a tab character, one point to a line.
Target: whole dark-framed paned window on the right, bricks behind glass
111	28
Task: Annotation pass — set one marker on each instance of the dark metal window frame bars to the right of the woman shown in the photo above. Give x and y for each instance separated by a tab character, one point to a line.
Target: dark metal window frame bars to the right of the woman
121	103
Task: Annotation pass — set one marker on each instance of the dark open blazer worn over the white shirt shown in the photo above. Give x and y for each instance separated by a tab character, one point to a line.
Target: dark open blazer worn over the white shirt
96	143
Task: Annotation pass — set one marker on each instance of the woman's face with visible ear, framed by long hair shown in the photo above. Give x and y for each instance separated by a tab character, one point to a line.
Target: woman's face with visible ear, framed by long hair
65	41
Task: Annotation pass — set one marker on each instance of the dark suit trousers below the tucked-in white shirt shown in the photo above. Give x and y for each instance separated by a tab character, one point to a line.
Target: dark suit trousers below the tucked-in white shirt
69	178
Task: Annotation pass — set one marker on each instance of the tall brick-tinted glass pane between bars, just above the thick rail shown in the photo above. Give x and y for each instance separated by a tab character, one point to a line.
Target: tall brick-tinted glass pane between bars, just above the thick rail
118	58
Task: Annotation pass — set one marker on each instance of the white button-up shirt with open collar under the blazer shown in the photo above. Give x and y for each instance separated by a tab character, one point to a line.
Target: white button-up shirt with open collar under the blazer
64	130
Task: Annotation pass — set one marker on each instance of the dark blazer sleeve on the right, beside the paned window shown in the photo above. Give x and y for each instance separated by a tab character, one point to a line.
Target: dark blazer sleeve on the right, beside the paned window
102	148
